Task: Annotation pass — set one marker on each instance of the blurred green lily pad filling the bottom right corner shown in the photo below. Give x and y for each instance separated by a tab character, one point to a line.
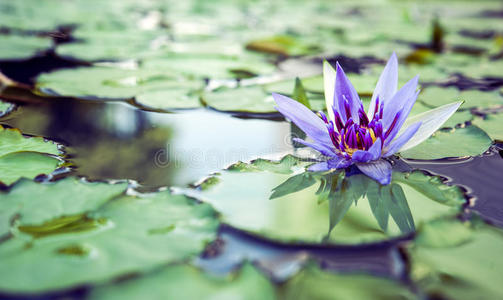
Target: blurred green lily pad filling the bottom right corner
467	266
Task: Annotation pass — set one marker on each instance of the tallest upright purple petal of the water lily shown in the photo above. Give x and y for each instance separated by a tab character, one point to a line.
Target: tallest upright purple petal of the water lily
387	84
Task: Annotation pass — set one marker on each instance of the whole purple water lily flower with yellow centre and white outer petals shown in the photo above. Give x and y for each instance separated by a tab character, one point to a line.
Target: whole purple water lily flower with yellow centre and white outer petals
349	135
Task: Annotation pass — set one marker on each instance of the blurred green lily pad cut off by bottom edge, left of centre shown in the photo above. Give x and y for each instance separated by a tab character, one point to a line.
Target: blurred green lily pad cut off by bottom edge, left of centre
187	282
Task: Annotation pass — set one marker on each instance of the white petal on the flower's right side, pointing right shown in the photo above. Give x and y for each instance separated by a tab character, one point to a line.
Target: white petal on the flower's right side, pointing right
431	121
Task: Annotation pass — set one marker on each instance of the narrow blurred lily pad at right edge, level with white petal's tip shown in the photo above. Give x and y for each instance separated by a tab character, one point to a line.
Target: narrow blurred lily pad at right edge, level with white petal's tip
436	96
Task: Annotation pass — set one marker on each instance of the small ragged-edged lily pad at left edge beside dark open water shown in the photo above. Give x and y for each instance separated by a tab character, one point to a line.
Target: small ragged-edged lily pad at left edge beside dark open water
25	156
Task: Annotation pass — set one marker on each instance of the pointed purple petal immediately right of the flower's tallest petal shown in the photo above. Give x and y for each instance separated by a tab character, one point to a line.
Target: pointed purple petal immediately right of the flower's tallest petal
399	101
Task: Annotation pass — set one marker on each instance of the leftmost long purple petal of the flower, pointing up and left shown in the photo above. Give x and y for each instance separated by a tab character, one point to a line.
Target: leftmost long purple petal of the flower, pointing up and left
304	118
